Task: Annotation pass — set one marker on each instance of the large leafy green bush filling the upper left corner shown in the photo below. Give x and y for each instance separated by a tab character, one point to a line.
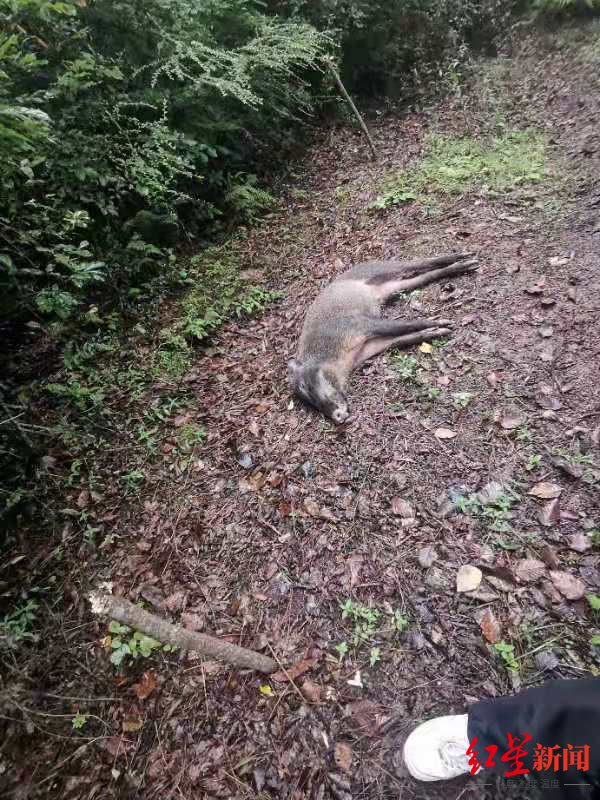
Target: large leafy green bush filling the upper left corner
124	124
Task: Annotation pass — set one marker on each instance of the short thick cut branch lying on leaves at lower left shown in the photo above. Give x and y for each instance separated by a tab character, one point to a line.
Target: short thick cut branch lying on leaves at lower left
127	613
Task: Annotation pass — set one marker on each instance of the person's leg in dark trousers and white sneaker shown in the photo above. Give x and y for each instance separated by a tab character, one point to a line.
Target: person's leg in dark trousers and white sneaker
552	731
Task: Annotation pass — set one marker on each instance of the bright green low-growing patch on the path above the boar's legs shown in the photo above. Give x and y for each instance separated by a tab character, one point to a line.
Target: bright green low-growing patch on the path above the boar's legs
454	166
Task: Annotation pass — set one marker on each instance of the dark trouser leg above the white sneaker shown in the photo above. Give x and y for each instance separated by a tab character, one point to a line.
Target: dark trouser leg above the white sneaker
565	712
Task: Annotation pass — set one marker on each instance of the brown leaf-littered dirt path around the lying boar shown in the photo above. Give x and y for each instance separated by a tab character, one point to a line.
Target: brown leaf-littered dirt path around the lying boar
282	518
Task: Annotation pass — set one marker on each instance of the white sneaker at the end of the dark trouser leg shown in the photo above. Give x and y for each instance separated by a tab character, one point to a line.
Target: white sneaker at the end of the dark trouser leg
437	749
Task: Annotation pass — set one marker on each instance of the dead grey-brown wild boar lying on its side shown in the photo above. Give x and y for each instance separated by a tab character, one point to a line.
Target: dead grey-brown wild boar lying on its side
343	327
